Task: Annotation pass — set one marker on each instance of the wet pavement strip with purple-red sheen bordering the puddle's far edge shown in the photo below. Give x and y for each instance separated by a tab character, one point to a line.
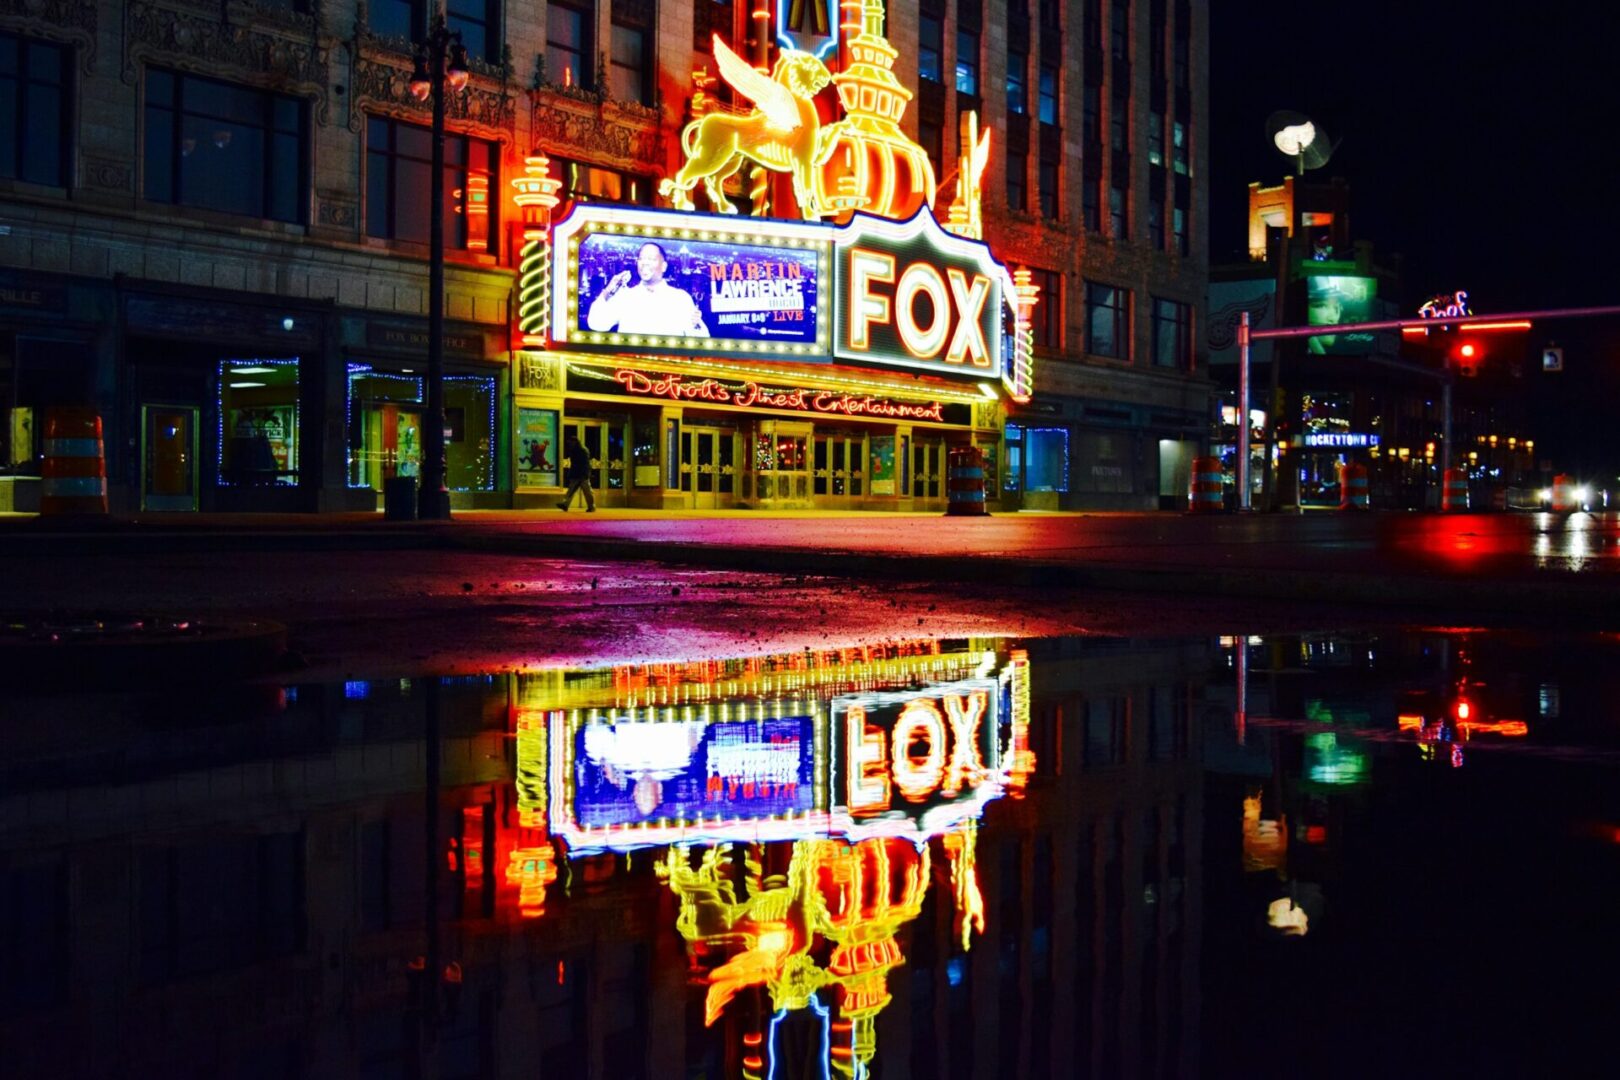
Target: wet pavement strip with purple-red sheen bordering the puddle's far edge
403	611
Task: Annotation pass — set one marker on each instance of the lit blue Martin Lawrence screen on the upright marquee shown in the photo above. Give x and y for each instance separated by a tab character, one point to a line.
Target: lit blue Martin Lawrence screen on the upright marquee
697	289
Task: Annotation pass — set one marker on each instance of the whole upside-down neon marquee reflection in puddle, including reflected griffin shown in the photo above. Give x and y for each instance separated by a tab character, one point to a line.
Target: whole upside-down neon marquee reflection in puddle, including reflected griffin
838	791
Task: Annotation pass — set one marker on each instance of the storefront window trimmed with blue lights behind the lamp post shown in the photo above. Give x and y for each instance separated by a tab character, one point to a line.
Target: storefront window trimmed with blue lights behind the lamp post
385	428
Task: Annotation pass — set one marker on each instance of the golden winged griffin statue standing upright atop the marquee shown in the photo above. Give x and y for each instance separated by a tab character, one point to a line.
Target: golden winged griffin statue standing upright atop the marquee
782	134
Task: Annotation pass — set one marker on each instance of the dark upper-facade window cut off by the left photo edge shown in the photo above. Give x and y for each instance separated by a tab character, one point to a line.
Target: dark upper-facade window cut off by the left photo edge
35	111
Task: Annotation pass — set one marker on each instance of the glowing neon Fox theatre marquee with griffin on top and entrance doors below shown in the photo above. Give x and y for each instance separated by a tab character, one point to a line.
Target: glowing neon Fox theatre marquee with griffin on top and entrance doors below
825	351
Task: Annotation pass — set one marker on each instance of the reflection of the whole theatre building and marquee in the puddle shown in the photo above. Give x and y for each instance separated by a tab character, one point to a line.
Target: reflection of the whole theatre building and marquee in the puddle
252	903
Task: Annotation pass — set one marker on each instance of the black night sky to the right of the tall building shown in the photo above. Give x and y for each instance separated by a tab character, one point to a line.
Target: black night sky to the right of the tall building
1480	143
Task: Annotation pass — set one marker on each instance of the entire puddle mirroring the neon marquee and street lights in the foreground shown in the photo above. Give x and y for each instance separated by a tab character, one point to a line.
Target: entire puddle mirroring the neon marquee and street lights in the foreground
929	859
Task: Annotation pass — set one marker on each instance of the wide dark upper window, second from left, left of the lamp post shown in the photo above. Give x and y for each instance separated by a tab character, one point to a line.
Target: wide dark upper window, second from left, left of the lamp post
226	148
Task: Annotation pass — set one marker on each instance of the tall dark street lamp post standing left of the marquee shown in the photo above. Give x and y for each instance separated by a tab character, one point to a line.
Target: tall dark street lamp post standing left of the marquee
441	61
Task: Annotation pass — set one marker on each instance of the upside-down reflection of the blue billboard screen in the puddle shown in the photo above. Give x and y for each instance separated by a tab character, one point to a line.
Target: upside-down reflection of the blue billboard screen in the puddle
636	773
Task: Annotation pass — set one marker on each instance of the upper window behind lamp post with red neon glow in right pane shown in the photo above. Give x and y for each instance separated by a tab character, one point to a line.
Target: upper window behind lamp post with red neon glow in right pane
399	172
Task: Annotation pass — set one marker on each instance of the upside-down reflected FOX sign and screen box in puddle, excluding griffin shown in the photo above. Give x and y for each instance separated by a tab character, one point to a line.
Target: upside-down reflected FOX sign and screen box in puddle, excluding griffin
790	757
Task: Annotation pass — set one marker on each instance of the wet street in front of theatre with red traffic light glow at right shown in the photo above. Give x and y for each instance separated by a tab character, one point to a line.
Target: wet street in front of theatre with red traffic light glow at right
1522	564
